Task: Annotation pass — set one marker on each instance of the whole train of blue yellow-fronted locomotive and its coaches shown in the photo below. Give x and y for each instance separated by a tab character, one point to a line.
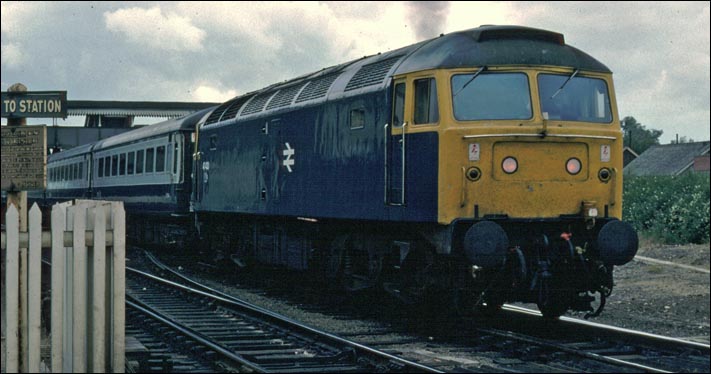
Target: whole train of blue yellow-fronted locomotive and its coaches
483	164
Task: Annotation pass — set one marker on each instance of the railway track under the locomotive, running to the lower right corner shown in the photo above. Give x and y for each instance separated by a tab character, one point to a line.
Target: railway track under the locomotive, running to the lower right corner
523	341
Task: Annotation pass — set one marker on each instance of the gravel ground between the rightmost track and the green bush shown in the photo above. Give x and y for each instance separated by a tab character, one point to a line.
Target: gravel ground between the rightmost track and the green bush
663	299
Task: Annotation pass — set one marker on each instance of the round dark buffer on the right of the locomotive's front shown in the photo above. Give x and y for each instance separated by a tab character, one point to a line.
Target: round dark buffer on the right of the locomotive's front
617	243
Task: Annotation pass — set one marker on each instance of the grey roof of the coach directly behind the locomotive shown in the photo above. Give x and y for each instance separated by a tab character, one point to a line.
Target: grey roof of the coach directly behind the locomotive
183	123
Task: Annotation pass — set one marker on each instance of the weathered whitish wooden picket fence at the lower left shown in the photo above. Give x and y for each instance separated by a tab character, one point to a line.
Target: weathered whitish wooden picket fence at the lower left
87	241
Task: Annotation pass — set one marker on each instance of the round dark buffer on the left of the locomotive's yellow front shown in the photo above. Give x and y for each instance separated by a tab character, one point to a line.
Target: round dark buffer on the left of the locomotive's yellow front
485	244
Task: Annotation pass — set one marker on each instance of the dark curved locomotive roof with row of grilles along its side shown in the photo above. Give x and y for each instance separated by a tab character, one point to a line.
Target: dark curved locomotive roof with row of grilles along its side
482	46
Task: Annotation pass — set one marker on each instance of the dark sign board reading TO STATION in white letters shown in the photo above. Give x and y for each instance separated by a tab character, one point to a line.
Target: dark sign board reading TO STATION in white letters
40	104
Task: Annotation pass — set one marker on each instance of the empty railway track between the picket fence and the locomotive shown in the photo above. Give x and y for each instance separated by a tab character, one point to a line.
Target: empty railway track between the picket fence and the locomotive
247	338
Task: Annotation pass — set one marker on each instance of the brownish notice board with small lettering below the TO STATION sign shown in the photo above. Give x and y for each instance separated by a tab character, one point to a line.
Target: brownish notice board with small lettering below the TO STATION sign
24	157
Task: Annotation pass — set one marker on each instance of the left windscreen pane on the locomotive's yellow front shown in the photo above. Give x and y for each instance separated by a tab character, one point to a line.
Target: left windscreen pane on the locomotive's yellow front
496	96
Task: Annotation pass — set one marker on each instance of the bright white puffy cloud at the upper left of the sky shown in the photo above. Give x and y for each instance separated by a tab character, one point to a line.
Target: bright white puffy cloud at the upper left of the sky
150	27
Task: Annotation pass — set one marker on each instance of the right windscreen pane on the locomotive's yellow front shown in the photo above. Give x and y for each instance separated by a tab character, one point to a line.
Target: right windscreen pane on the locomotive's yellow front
574	98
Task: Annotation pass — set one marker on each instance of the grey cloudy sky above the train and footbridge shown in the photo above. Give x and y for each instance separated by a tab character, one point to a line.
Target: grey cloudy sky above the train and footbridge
174	51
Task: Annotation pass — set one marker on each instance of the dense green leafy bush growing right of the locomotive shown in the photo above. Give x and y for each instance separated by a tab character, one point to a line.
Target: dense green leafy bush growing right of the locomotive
673	209
